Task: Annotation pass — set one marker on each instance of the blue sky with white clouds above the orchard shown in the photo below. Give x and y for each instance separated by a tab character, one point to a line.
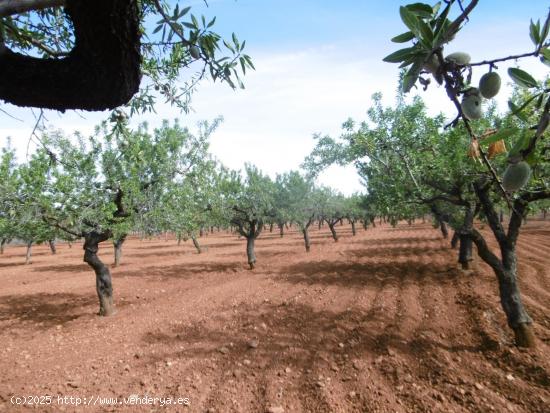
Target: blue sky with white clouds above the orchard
317	64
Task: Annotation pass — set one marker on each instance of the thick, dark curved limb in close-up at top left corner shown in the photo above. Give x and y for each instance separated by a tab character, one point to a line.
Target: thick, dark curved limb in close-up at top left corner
102	71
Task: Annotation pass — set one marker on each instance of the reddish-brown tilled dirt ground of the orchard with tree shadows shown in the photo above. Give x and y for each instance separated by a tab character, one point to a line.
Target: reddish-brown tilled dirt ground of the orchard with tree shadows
380	322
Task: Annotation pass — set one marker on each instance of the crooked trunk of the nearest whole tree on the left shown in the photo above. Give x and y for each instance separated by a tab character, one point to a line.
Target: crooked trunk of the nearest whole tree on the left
104	286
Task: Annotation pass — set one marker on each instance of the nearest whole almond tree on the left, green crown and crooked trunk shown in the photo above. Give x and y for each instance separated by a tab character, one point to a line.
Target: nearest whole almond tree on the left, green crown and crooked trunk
109	183
